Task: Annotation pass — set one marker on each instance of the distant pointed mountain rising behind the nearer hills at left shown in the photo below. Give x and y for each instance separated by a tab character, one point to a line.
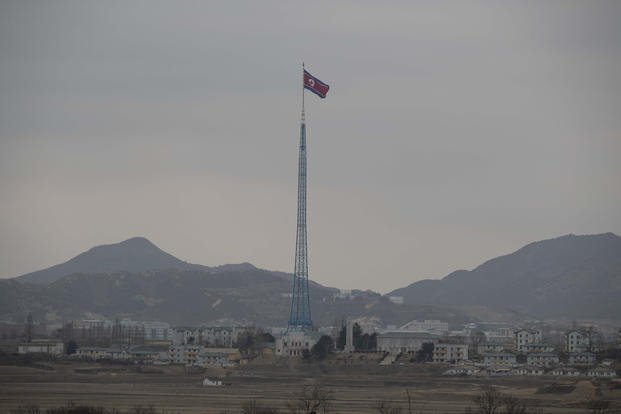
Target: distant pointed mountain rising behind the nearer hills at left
134	255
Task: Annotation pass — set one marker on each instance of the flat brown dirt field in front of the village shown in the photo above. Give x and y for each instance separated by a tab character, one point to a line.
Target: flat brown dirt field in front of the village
356	389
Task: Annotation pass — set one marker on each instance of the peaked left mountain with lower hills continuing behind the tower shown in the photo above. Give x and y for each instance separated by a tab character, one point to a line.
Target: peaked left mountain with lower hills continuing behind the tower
136	279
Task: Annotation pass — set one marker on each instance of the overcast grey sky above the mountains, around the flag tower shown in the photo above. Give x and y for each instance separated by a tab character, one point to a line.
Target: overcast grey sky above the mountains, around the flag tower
453	131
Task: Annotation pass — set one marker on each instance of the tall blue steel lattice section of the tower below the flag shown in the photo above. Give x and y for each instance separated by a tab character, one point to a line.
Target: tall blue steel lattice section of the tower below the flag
300	316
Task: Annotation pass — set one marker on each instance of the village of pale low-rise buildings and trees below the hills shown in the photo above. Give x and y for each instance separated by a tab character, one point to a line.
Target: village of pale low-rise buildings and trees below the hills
475	350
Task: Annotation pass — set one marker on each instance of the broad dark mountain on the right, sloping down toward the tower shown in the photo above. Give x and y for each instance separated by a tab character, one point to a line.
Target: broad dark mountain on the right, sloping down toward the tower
570	276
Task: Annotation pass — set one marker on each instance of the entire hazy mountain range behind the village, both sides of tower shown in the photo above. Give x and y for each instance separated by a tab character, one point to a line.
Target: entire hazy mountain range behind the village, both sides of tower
575	276
